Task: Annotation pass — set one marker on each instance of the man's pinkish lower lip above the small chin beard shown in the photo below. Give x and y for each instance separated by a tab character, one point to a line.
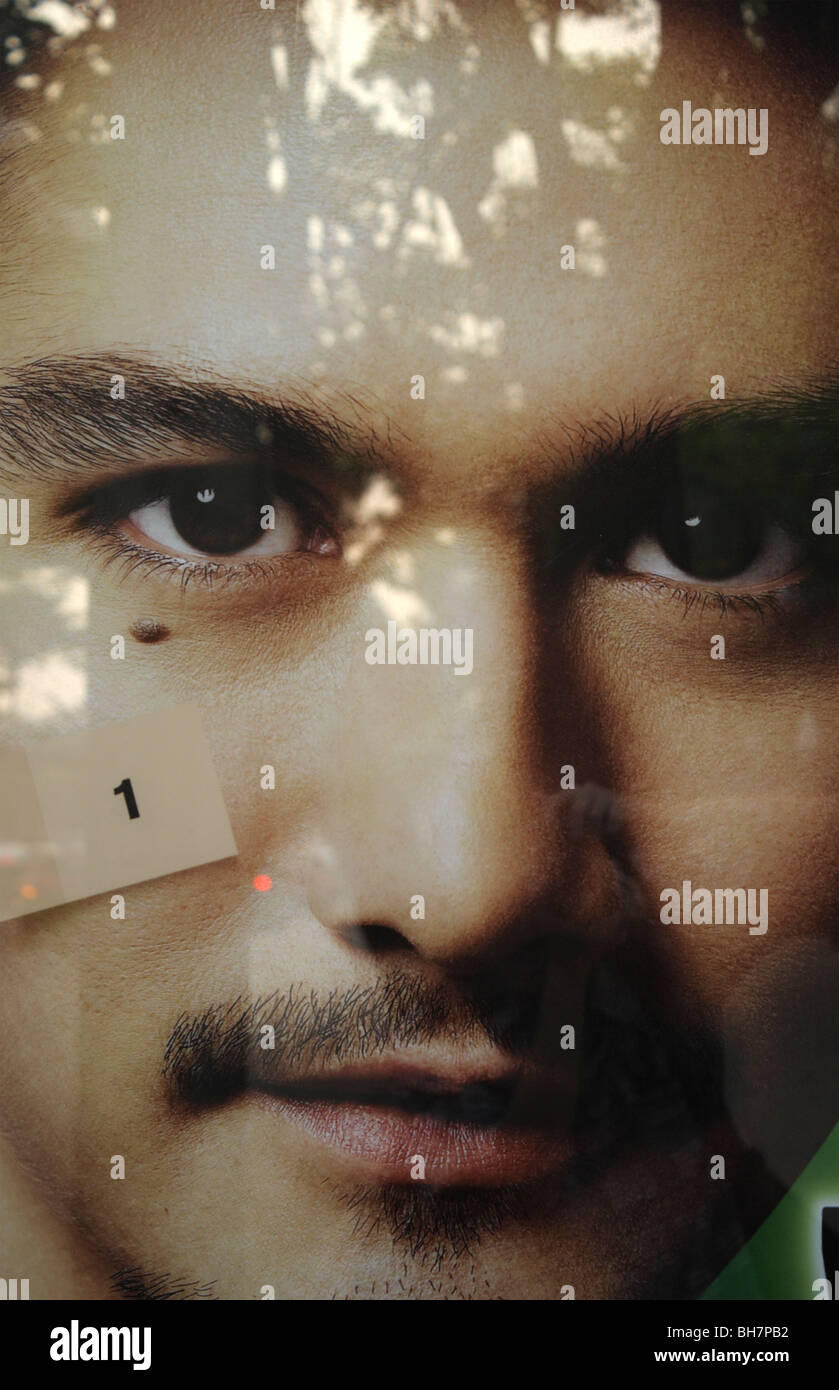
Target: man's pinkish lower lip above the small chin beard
387	1143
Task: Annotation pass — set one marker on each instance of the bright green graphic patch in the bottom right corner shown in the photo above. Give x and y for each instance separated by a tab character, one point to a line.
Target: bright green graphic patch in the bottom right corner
784	1257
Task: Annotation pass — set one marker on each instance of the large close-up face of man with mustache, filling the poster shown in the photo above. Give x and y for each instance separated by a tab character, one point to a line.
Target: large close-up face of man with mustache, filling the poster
270	227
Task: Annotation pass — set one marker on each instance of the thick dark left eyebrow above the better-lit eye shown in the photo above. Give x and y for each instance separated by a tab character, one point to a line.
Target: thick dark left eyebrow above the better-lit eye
58	420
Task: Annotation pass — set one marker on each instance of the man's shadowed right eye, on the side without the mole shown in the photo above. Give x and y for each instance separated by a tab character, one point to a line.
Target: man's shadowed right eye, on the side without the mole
704	536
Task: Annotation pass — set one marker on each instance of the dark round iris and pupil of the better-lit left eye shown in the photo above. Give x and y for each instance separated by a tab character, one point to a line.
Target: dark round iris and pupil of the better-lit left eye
229	519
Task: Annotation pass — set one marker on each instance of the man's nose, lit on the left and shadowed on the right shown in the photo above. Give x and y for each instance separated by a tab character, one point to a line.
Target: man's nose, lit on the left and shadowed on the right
444	811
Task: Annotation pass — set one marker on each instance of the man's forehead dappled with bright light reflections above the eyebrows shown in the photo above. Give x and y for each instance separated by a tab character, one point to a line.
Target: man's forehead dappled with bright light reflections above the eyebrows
445	256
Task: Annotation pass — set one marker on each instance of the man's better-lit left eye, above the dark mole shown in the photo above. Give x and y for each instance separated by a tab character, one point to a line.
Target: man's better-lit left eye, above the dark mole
217	514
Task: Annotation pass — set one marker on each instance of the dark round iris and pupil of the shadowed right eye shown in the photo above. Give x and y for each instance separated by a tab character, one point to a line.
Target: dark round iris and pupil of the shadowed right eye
709	536
